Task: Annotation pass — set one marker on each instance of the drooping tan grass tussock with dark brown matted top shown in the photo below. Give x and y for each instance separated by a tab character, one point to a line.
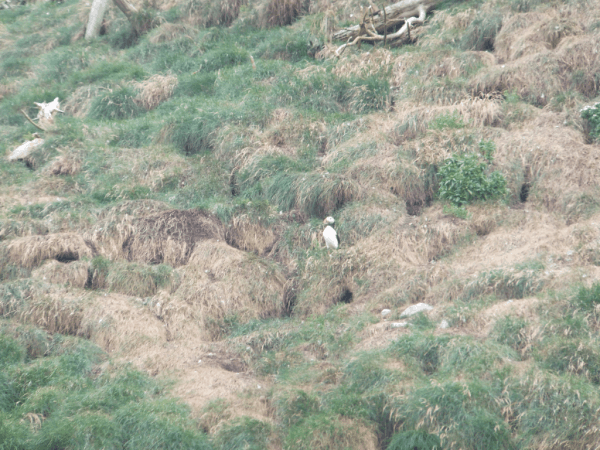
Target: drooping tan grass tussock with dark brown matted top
170	237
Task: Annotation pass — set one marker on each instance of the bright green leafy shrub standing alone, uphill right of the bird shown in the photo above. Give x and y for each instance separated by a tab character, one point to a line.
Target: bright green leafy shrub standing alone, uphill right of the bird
463	180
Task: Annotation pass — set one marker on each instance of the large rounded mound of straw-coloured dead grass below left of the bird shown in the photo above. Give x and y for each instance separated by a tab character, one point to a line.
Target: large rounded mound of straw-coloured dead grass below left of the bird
221	282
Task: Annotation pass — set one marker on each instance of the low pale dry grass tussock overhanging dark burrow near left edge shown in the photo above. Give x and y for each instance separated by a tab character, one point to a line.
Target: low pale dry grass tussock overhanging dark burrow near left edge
29	251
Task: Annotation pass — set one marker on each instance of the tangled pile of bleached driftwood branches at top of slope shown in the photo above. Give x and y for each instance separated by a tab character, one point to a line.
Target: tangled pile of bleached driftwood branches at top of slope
376	23
